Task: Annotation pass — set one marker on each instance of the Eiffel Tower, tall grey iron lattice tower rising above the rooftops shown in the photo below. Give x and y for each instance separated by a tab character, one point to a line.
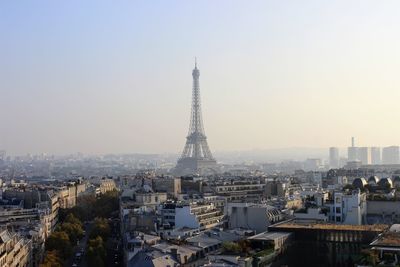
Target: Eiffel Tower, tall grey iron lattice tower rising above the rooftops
196	156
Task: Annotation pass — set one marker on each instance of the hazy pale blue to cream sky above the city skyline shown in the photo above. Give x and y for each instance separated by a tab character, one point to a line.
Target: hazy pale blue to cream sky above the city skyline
115	76
